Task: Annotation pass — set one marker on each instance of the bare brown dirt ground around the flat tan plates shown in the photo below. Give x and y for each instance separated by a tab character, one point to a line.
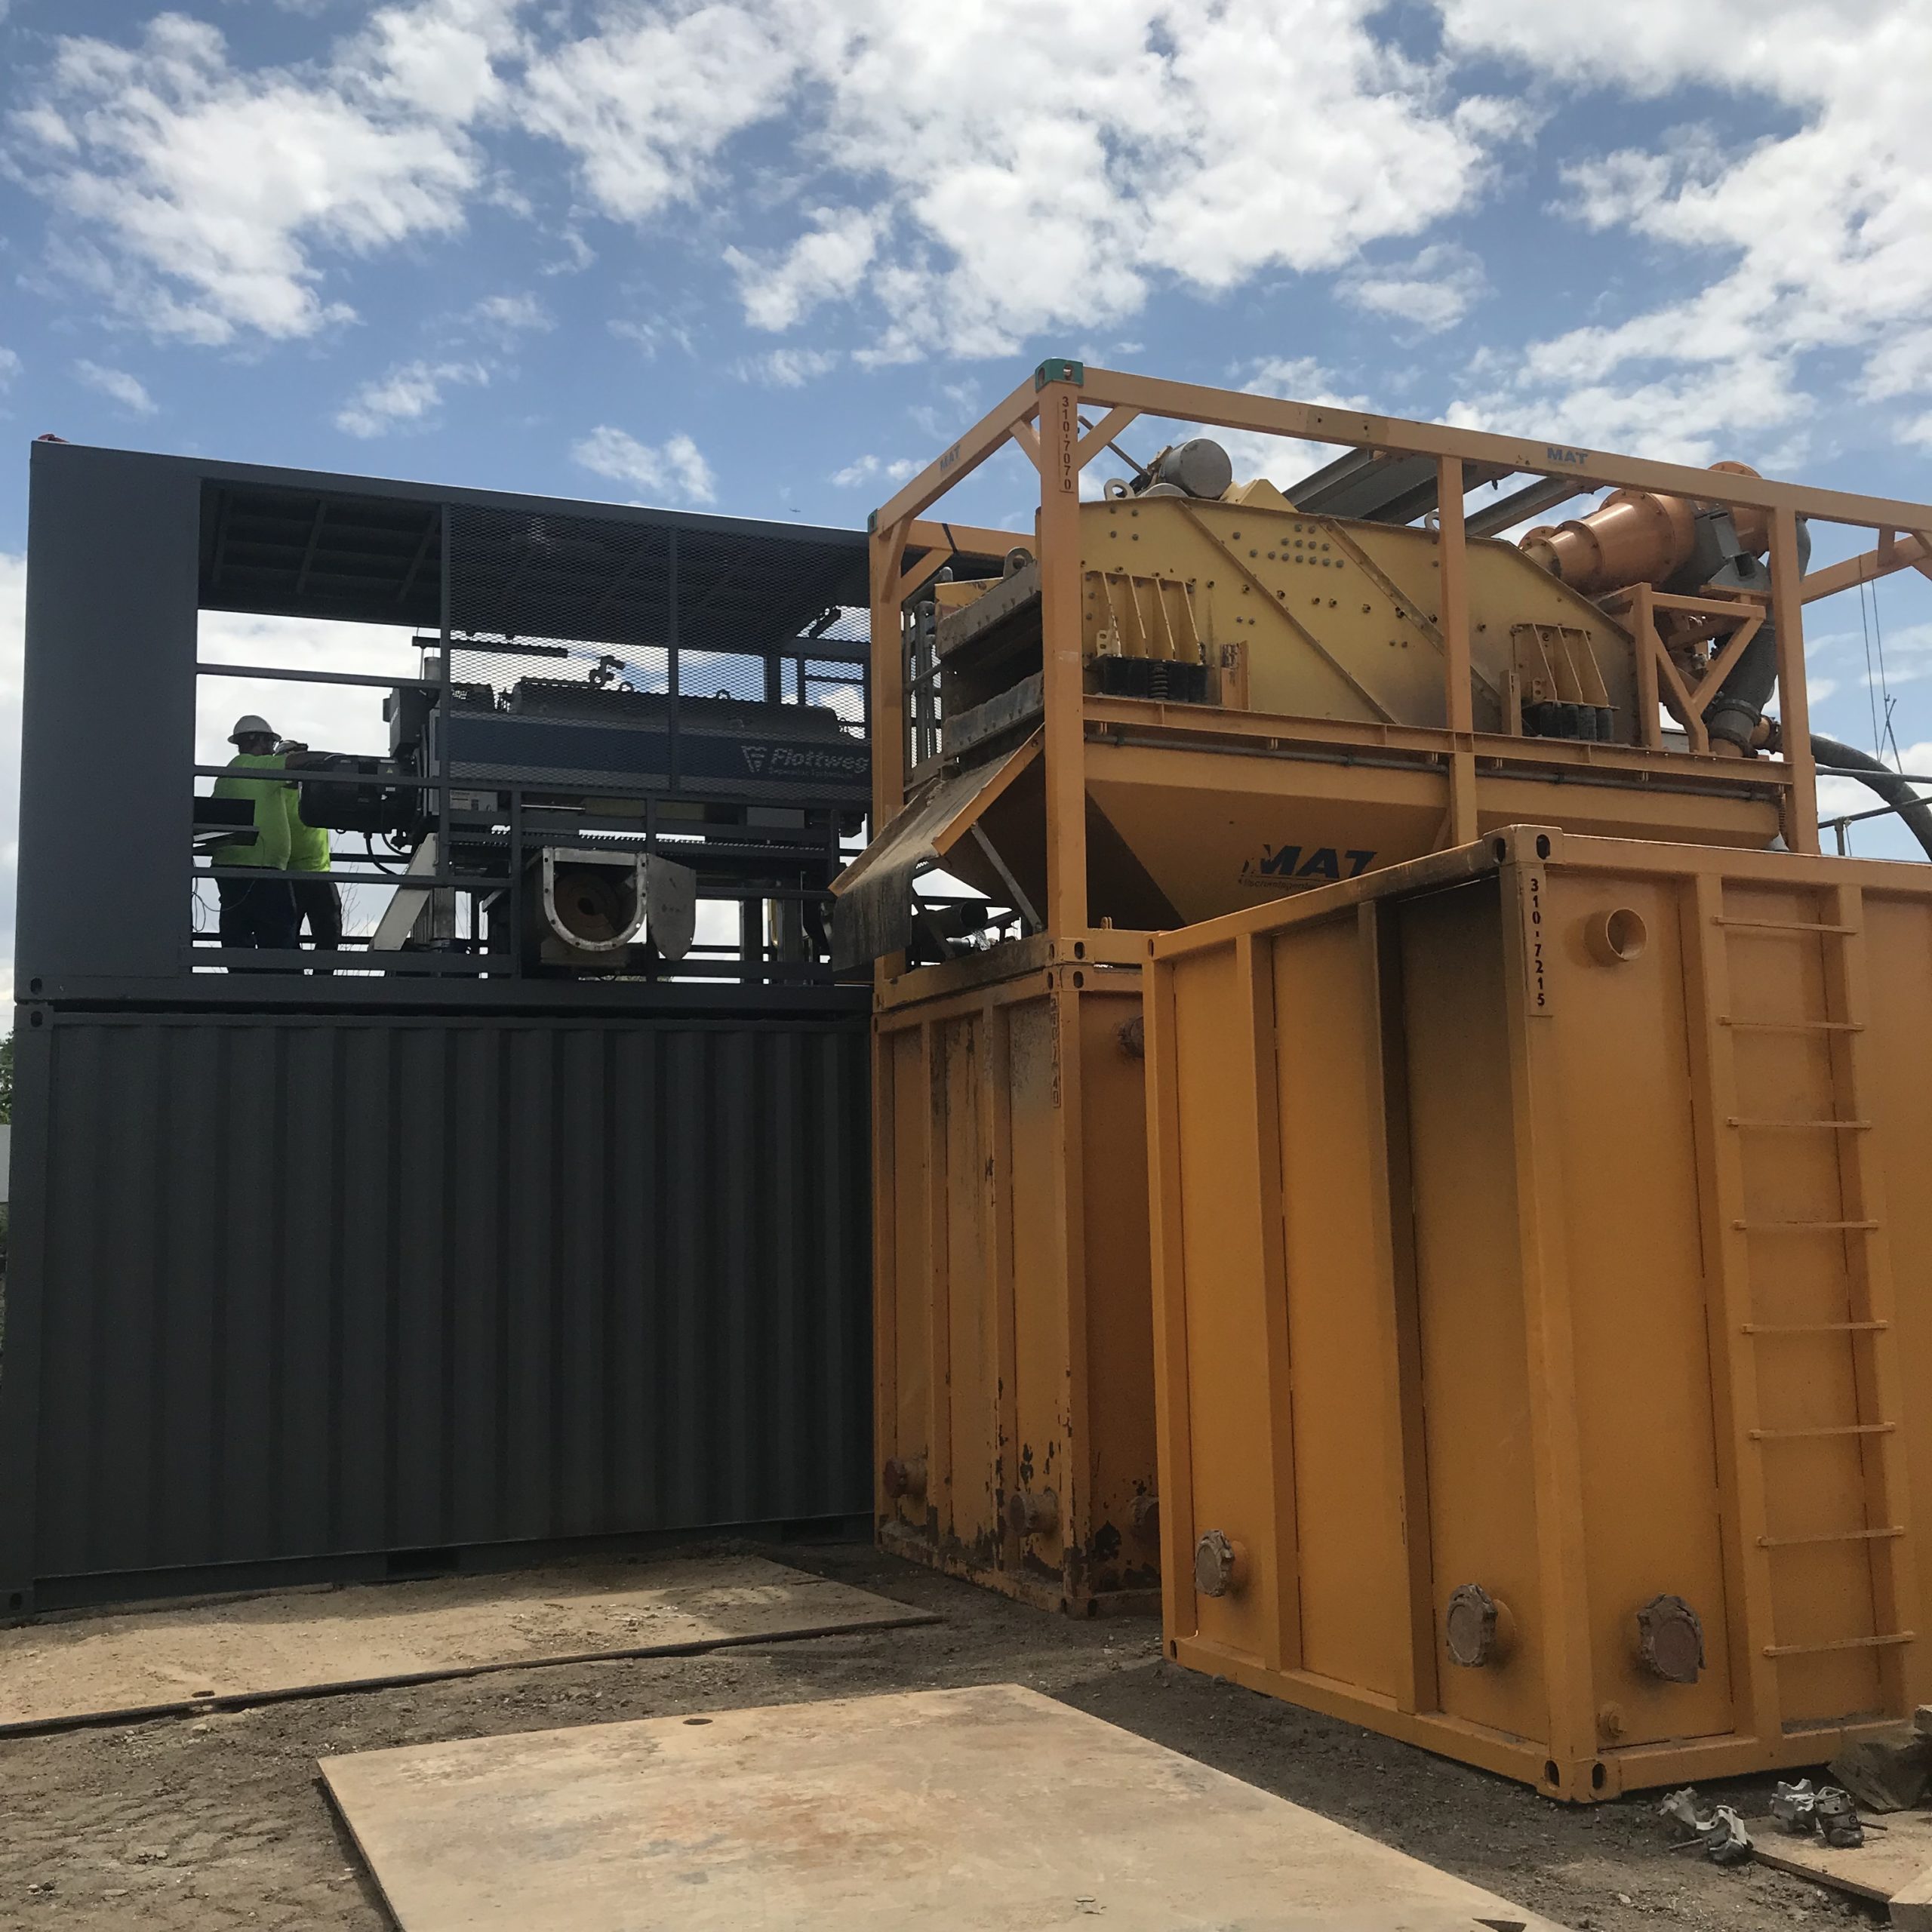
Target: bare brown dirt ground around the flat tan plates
219	1821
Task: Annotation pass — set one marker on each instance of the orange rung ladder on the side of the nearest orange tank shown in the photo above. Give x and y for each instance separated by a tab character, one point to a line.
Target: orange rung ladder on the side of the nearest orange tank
1848	1332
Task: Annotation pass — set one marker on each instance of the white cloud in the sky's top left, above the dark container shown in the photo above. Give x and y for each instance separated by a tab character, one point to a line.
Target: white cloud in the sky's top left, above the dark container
200	200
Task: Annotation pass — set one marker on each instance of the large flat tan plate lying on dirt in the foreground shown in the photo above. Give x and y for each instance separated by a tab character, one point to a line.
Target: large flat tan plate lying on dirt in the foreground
982	1807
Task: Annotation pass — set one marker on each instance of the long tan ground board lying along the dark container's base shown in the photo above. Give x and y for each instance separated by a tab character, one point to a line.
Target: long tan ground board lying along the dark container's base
308	1643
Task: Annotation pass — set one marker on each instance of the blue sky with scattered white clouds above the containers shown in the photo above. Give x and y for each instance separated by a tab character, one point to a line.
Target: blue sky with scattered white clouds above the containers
770	256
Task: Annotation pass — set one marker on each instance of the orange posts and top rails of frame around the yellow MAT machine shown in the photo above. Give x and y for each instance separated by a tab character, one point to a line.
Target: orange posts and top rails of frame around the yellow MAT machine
1044	420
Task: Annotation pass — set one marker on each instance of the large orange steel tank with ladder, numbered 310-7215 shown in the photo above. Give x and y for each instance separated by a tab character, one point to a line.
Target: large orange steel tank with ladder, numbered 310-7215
1543	1272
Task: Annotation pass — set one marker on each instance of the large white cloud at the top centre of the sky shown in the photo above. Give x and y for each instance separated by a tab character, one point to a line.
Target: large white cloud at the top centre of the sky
1108	150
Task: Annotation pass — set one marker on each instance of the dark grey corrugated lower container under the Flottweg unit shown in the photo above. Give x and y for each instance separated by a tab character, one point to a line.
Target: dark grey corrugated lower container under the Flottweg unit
302	1286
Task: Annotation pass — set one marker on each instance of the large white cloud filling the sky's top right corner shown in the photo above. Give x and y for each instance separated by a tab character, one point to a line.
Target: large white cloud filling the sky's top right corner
1809	241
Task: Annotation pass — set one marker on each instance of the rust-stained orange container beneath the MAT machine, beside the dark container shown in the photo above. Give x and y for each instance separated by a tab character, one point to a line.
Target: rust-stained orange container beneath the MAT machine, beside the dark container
1015	1346
